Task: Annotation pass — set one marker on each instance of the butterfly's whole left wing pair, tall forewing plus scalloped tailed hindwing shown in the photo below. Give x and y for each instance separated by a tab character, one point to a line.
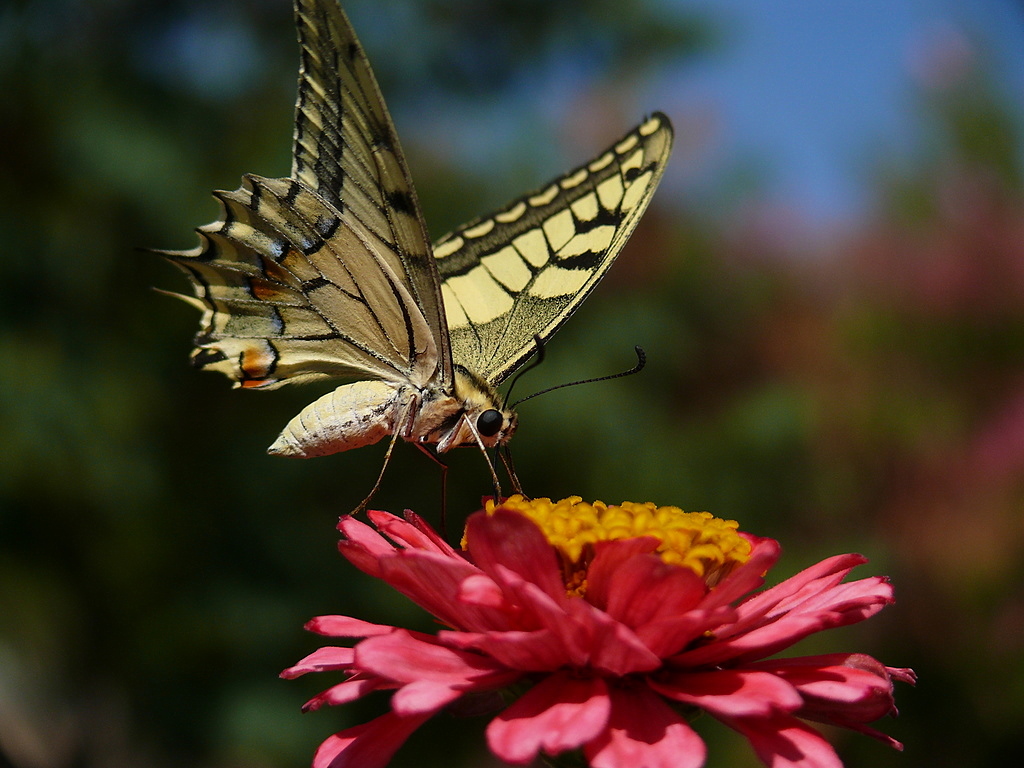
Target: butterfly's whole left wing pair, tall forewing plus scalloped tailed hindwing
330	273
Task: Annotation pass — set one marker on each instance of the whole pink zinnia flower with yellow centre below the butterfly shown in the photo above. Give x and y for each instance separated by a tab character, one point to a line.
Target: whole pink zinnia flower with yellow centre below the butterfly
608	628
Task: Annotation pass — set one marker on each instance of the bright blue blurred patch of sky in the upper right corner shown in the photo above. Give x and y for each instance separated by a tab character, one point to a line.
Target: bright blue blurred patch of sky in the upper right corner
812	88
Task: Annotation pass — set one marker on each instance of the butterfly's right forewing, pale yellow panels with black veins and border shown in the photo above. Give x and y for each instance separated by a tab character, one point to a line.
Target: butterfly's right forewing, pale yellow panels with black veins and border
523	271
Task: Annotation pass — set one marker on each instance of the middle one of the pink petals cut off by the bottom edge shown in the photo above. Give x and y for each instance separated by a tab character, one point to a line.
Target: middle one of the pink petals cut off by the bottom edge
645	732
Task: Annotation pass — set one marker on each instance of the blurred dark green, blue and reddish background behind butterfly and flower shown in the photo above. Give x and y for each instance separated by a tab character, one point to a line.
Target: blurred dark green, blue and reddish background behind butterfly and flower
830	286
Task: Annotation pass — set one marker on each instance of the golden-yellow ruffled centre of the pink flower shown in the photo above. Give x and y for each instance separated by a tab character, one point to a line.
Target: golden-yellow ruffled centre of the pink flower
707	545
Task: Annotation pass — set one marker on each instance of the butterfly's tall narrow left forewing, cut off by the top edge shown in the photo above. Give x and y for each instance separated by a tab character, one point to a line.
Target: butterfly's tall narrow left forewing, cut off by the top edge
347	150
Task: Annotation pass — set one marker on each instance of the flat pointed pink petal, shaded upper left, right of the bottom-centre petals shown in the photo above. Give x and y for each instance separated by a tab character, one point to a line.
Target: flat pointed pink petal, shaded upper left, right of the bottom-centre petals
731	694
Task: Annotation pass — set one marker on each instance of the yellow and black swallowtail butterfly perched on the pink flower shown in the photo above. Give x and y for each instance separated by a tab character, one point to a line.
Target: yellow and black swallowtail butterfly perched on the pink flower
330	273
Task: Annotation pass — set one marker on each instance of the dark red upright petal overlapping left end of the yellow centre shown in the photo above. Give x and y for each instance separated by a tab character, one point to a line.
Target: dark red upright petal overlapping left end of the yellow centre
514	542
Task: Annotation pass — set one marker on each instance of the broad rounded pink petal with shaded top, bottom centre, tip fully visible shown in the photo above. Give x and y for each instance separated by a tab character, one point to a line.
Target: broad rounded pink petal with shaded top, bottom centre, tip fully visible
561	713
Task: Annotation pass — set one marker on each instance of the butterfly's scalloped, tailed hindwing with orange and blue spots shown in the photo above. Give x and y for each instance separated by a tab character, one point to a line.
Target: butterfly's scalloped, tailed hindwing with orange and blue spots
281	305
